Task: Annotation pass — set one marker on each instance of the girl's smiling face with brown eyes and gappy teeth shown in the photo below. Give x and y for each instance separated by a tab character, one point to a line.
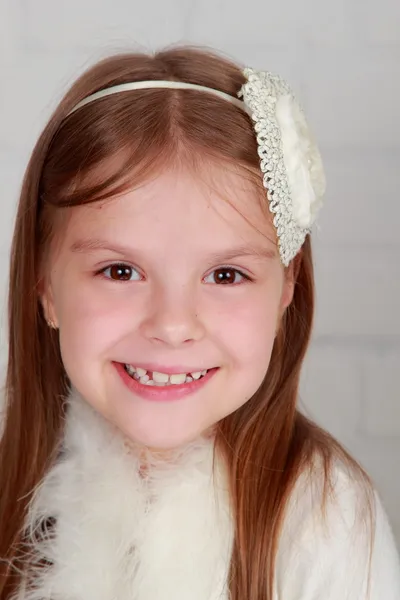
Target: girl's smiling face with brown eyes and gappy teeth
168	278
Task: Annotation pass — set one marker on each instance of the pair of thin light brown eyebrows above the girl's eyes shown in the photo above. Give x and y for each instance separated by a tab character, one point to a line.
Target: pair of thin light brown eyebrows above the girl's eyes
95	244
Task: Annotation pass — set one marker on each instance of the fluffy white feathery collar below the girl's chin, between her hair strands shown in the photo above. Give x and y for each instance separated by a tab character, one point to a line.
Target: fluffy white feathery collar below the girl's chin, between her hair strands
120	535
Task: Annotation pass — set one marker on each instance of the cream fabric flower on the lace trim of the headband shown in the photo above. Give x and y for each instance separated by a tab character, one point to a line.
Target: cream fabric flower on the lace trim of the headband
303	162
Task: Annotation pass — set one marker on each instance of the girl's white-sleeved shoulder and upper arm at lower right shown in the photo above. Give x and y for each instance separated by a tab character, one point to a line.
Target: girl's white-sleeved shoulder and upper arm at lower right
336	542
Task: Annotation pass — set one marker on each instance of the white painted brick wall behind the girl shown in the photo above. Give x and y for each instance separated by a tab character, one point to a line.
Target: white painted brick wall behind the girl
343	57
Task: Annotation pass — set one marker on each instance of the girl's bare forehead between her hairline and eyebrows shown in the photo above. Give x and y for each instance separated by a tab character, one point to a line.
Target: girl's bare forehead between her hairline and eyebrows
211	205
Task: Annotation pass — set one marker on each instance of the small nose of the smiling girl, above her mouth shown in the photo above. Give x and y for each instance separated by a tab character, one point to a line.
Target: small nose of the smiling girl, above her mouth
173	320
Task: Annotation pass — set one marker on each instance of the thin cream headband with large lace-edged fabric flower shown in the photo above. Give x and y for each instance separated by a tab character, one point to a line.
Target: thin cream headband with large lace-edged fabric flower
292	168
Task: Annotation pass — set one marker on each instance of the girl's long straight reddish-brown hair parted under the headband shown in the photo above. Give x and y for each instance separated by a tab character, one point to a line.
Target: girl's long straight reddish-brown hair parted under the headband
267	443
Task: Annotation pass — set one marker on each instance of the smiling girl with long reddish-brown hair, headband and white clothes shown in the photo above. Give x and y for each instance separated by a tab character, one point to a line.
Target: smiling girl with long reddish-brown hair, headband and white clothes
161	302
